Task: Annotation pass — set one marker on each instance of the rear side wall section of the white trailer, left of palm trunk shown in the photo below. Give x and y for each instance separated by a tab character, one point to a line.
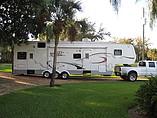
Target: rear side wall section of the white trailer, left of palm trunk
31	58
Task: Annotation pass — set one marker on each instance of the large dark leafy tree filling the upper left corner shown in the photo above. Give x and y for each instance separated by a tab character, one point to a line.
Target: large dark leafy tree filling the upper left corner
18	18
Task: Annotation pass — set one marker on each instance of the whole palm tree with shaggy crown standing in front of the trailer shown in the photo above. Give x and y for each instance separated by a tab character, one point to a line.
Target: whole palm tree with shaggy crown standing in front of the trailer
64	11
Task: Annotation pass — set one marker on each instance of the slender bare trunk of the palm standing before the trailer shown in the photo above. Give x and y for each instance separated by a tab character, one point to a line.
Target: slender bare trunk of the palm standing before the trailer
52	82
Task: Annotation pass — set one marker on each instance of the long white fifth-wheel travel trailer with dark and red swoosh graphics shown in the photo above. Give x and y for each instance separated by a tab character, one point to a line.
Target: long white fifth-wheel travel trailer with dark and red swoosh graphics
79	57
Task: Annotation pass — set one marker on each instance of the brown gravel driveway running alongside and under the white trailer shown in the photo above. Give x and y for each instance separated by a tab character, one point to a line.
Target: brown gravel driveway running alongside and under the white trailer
11	82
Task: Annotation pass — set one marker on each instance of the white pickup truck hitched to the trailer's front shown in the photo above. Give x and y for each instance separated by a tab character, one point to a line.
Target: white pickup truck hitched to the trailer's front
144	69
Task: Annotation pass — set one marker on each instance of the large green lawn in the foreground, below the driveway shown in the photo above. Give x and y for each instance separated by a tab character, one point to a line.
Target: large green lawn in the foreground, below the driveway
74	100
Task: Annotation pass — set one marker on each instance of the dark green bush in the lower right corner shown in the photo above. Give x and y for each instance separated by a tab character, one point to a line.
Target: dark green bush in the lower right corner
146	97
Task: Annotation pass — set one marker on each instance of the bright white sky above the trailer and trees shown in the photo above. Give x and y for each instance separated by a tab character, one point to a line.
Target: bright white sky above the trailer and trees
128	23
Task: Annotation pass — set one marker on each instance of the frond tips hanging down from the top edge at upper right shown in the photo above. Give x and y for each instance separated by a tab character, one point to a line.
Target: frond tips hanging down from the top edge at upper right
152	9
